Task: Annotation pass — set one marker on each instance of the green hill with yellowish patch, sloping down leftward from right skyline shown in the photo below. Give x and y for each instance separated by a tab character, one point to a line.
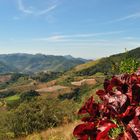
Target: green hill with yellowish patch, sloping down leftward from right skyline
98	67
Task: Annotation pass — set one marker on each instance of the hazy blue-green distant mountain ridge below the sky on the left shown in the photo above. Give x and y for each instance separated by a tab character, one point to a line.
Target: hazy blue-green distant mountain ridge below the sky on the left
29	63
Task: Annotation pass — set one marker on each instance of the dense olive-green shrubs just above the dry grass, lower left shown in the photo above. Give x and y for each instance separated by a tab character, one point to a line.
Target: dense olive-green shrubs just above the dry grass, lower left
37	115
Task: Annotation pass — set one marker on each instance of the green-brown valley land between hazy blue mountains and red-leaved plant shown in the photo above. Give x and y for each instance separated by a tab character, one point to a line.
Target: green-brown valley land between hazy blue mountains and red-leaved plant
44	104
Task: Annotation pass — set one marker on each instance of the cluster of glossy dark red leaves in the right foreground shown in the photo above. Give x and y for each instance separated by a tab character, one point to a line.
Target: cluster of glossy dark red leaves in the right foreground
120	107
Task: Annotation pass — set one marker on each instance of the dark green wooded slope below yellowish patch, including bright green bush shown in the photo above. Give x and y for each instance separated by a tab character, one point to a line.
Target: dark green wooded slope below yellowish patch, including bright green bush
105	65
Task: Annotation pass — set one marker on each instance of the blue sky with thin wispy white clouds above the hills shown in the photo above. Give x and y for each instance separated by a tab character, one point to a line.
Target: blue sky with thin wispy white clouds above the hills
81	28
